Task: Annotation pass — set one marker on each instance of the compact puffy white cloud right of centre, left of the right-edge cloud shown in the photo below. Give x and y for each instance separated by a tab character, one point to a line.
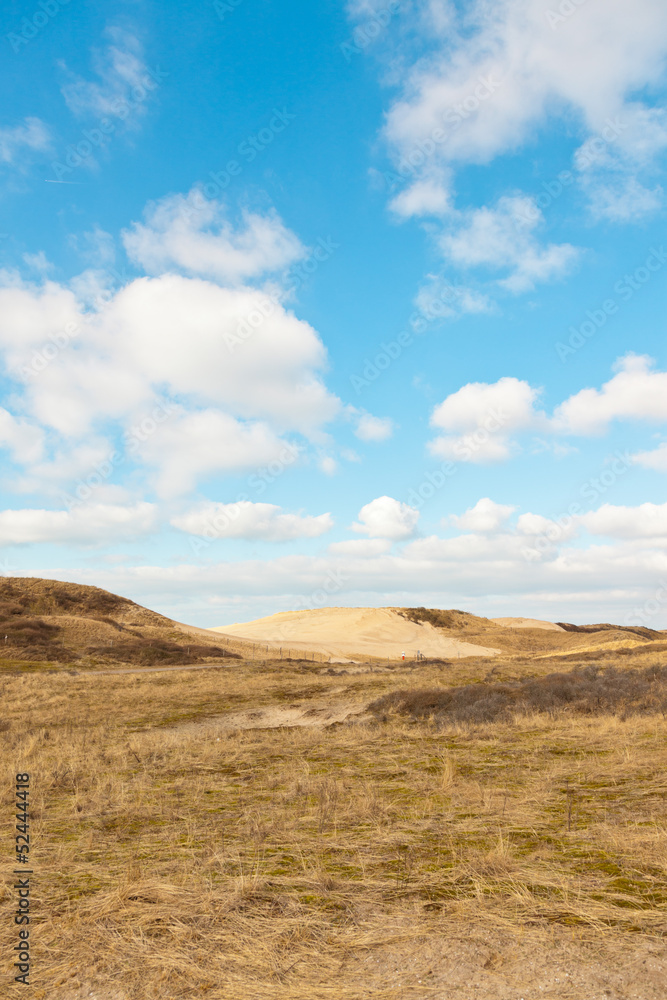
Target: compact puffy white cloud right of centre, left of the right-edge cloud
480	417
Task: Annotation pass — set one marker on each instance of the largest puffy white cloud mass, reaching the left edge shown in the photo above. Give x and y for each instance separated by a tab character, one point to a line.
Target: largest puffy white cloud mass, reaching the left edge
245	368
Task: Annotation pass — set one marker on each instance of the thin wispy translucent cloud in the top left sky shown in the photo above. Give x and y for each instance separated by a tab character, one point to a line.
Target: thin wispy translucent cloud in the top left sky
122	76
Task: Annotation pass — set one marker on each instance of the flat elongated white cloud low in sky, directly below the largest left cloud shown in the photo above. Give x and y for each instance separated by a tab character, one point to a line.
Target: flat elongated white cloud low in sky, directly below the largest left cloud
255	521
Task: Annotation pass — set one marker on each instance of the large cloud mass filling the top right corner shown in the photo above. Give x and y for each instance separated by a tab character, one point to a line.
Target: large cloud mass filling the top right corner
492	76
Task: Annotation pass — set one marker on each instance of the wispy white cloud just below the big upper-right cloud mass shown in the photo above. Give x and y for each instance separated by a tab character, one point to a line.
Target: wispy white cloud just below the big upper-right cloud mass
502	237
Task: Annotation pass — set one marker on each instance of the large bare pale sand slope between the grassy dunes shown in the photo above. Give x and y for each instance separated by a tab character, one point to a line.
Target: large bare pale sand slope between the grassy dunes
349	633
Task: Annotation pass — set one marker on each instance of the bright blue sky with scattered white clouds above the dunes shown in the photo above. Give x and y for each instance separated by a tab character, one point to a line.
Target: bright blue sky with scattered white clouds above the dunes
337	304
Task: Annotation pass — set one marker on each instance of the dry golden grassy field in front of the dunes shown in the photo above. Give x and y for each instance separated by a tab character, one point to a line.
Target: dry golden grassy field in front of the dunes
404	852
